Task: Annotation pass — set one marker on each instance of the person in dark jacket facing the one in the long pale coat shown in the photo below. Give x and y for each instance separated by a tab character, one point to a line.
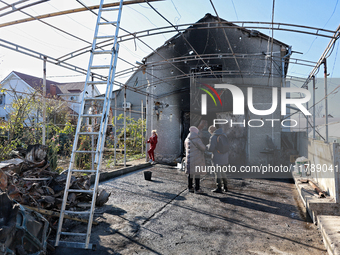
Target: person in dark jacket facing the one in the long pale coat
218	145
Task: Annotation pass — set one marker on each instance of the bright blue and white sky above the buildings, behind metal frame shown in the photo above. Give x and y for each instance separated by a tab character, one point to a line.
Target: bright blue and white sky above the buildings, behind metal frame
41	38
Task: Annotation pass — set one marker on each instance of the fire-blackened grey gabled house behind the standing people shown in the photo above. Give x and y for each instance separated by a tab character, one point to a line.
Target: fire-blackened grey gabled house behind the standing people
211	51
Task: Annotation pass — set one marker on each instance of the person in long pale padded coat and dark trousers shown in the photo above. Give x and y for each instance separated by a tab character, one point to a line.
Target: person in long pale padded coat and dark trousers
194	157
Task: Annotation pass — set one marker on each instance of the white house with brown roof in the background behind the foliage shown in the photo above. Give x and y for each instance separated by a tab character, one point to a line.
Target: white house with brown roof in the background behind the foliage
17	84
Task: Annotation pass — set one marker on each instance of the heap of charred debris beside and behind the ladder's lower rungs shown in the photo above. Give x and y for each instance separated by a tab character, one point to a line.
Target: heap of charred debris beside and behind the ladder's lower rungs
29	181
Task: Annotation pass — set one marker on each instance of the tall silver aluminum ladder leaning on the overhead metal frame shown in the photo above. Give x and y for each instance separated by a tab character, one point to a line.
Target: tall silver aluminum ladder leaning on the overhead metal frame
94	109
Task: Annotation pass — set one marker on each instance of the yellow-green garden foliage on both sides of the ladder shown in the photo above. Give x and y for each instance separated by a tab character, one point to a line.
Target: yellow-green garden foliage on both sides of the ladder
24	127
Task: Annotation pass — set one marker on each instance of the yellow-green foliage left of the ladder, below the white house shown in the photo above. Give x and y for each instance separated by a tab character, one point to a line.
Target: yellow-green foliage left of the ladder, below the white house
24	126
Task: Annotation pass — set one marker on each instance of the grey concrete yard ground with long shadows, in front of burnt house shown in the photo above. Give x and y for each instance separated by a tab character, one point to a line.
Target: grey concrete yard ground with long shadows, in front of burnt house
257	216
